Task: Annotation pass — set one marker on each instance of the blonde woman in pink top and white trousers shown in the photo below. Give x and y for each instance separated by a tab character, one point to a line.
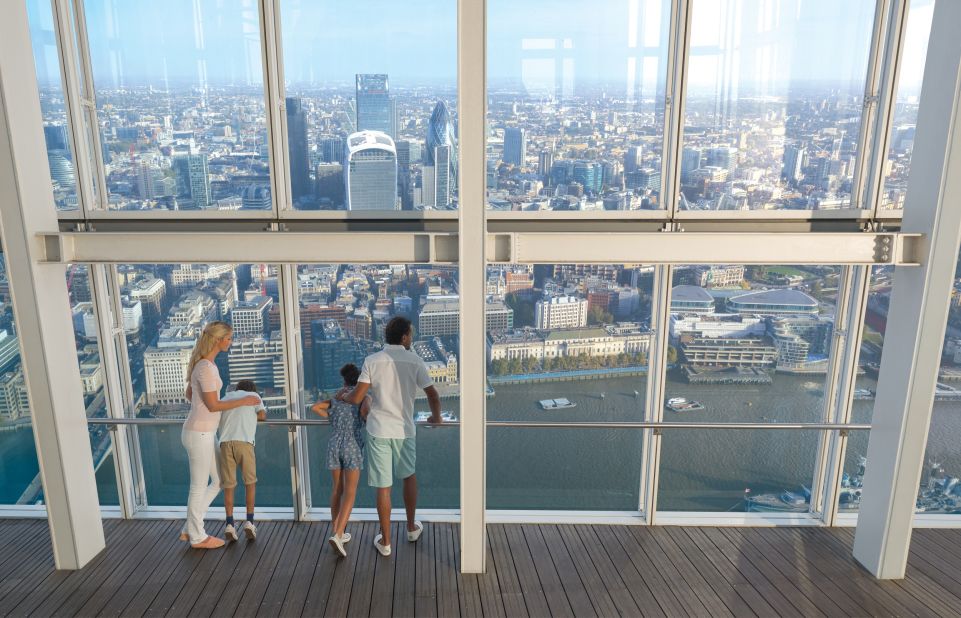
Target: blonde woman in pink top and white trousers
200	430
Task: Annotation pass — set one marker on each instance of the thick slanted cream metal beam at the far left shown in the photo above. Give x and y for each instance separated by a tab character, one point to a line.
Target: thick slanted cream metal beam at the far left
40	305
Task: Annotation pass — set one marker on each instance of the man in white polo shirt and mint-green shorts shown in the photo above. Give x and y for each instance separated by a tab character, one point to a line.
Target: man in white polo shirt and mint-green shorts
391	377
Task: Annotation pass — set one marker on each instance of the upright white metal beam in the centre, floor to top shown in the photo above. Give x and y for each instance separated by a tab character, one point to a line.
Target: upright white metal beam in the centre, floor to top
472	108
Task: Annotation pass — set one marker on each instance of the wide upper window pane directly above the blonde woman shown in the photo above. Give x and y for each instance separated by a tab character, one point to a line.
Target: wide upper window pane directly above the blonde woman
180	97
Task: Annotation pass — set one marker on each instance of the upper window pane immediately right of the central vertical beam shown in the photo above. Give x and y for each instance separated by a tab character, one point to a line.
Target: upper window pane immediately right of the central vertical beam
576	104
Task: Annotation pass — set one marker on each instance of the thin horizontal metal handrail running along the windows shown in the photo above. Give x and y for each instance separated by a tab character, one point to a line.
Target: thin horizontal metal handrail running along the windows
532	424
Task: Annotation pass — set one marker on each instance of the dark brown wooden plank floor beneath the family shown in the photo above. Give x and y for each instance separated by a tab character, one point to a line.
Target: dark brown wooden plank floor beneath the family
534	570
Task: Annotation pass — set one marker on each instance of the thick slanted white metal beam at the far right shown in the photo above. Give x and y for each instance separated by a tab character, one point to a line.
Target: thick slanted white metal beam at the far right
918	311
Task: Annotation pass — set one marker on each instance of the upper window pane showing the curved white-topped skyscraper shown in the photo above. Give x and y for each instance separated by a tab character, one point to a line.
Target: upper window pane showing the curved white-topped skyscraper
371	104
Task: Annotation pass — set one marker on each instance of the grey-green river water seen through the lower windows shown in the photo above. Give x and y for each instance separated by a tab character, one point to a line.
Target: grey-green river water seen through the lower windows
587	469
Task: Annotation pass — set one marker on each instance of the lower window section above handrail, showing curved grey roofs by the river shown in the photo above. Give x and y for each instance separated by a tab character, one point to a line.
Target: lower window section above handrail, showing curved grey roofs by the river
750	343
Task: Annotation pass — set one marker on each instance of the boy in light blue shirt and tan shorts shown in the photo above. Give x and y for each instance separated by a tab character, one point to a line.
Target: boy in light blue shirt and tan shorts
237	431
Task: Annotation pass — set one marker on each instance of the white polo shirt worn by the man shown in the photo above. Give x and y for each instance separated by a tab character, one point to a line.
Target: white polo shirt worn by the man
395	374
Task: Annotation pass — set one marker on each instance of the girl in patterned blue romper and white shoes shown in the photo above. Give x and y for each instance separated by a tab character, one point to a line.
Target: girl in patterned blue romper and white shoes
345	454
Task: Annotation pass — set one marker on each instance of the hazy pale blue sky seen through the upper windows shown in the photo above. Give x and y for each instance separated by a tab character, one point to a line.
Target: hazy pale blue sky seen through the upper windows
544	44
